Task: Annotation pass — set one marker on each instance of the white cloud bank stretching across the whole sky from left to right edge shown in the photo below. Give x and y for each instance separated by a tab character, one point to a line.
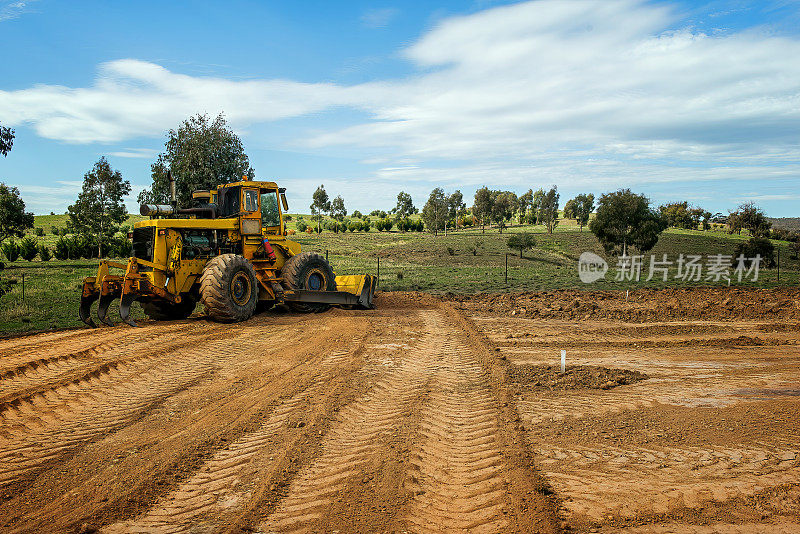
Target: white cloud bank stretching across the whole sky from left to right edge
586	92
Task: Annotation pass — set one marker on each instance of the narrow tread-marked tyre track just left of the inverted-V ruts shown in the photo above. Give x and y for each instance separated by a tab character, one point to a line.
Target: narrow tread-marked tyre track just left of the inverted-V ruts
212	494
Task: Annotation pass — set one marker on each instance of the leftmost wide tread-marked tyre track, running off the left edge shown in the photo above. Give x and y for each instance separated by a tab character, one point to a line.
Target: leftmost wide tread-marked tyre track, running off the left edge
48	425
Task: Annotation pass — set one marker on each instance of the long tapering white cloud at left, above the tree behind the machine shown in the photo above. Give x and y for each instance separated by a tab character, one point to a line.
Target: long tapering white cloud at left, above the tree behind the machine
135	98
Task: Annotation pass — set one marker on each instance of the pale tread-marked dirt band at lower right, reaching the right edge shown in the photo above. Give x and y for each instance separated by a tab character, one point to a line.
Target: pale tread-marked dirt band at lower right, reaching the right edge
633	482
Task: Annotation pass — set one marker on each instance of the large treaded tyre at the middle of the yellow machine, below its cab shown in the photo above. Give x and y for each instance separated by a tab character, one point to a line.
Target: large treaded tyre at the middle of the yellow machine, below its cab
229	289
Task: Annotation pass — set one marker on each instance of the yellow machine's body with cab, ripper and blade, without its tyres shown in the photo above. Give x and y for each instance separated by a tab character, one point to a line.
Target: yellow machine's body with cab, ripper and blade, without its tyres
173	248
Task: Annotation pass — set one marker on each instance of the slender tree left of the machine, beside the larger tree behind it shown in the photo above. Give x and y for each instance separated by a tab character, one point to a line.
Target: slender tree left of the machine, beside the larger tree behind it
99	209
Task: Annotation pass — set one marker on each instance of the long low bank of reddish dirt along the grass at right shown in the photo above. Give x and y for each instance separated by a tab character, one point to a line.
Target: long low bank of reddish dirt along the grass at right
641	305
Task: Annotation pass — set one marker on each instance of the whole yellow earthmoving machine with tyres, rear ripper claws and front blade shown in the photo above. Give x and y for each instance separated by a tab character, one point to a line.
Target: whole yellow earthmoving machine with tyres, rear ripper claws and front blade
230	252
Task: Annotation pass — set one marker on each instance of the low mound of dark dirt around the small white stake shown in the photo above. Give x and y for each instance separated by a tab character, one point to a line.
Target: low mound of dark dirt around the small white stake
550	377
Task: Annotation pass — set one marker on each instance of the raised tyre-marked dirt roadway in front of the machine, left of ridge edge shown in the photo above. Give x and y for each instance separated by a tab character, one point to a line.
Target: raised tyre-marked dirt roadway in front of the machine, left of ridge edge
395	419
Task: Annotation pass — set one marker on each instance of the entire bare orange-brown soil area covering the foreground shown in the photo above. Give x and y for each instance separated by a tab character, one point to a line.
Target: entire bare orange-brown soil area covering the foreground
419	416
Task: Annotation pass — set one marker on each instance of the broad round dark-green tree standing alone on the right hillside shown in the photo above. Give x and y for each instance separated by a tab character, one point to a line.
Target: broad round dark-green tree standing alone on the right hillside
625	220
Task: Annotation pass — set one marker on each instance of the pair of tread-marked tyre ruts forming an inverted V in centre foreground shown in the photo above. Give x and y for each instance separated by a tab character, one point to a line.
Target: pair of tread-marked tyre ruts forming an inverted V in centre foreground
455	479
